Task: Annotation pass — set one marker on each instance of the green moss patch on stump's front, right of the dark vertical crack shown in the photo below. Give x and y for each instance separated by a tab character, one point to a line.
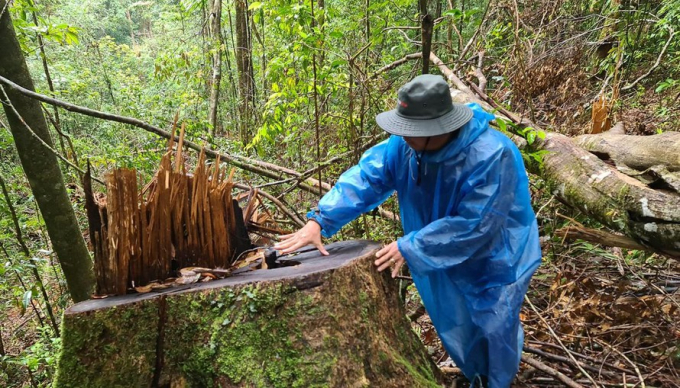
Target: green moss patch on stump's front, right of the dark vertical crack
248	342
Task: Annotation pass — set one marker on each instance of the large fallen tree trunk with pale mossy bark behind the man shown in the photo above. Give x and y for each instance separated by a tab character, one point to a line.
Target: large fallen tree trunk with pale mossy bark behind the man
582	180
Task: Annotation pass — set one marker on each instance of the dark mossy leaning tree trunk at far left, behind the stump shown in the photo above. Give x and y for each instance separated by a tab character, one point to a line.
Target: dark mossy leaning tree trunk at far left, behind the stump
42	168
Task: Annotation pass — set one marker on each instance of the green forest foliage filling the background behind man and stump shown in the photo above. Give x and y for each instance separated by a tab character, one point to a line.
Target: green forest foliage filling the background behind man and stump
316	80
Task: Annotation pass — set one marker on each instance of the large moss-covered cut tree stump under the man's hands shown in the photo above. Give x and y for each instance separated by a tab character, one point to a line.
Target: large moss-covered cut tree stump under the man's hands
330	321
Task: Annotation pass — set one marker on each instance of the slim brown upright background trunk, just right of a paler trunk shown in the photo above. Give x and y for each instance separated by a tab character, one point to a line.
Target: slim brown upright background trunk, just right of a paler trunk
245	70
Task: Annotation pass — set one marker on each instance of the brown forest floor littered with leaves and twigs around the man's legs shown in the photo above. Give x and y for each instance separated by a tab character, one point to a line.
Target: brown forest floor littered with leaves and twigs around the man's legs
616	312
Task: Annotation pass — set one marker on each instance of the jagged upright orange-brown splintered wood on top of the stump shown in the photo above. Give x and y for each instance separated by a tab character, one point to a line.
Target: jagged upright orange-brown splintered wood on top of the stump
178	220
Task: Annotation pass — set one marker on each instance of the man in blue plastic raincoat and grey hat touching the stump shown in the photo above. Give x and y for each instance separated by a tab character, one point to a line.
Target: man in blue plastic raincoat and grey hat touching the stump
471	239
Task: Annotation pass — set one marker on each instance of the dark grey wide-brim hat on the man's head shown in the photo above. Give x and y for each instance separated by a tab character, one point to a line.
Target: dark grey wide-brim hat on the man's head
424	108
